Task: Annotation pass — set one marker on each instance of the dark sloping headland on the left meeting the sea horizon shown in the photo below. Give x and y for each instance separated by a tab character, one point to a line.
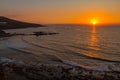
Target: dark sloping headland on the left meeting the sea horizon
6	23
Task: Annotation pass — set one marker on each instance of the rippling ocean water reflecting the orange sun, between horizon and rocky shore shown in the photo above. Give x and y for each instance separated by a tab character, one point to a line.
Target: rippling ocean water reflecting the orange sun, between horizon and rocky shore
91	47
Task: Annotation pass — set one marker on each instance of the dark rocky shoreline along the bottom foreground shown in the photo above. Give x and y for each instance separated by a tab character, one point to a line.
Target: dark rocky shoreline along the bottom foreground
11	69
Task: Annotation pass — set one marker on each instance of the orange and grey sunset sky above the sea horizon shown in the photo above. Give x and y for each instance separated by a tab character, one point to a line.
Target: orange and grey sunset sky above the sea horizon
62	11
